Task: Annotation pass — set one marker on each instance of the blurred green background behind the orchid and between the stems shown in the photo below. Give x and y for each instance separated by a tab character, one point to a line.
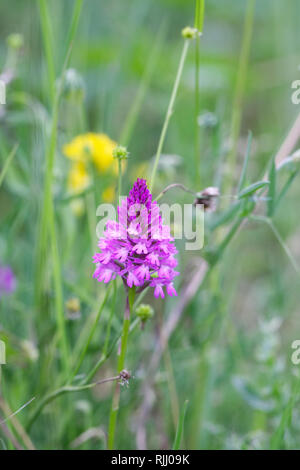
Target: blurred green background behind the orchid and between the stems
230	355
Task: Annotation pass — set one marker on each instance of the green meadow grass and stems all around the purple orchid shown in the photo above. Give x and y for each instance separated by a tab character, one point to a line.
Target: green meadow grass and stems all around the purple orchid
211	369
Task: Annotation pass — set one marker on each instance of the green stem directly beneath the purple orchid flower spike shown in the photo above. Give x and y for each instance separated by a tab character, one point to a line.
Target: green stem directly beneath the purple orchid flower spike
121	362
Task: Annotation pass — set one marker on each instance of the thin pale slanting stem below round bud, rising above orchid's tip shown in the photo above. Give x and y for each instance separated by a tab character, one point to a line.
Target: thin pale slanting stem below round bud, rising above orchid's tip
169	111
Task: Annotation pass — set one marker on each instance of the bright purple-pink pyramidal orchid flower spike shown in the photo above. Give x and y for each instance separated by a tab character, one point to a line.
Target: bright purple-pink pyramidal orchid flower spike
138	248
